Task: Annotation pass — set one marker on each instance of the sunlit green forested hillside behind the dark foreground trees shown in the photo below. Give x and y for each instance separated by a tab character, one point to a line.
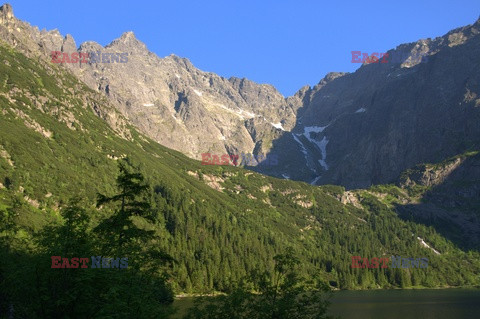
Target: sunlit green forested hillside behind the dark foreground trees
58	142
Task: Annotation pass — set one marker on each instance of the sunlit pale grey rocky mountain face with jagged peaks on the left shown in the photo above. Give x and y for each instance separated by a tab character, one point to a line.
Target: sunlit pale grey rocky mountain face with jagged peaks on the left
169	99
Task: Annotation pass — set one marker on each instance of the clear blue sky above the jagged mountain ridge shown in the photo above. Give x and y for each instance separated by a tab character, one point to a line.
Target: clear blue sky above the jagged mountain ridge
286	43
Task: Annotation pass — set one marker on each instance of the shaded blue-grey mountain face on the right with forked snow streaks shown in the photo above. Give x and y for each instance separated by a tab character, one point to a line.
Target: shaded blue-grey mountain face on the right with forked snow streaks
367	127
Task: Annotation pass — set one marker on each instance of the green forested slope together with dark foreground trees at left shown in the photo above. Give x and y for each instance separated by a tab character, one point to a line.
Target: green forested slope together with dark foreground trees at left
185	227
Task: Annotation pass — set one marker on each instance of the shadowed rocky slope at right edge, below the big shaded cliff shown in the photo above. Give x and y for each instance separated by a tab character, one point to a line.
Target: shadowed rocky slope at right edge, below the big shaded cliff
452	200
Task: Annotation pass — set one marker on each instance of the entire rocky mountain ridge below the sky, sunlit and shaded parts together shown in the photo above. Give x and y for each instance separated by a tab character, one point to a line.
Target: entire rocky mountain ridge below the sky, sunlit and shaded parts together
353	129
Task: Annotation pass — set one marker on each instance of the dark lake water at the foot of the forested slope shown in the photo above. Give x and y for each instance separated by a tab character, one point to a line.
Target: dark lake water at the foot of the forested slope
401	304
